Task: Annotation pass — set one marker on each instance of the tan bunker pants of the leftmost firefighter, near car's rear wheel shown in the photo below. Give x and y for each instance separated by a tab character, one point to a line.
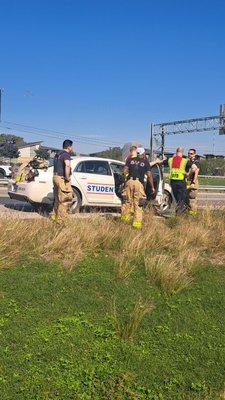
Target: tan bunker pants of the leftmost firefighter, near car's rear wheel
63	195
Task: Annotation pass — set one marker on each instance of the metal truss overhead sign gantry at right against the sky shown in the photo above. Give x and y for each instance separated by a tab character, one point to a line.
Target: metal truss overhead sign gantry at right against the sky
205	124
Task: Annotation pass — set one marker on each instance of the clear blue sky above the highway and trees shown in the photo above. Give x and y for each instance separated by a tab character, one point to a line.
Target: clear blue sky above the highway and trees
106	69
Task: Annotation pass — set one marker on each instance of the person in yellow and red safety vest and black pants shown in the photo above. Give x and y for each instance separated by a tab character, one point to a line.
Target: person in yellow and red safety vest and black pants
177	175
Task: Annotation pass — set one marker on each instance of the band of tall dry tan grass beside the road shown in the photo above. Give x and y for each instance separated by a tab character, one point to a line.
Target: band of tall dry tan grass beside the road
168	250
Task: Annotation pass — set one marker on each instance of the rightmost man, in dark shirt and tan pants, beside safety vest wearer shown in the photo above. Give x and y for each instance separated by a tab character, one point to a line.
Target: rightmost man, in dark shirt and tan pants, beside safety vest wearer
192	168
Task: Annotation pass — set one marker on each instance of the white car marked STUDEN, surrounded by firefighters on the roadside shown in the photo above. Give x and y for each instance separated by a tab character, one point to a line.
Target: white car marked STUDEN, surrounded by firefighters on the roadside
95	181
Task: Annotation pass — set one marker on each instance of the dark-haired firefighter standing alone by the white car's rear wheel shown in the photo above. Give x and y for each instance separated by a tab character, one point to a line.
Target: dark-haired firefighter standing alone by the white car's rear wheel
63	192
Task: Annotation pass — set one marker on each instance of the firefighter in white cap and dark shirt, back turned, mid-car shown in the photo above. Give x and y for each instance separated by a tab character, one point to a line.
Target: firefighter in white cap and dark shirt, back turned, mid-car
135	170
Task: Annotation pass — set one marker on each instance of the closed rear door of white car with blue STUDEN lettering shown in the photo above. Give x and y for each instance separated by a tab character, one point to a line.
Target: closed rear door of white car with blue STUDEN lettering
96	181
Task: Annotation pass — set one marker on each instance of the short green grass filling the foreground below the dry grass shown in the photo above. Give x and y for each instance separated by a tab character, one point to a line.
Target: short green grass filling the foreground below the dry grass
60	337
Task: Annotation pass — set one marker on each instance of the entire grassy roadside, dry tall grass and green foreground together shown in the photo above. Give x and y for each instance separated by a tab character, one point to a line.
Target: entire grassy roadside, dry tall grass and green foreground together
99	311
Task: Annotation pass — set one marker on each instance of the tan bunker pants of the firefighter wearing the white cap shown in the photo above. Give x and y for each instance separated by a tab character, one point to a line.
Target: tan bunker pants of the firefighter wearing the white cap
133	193
